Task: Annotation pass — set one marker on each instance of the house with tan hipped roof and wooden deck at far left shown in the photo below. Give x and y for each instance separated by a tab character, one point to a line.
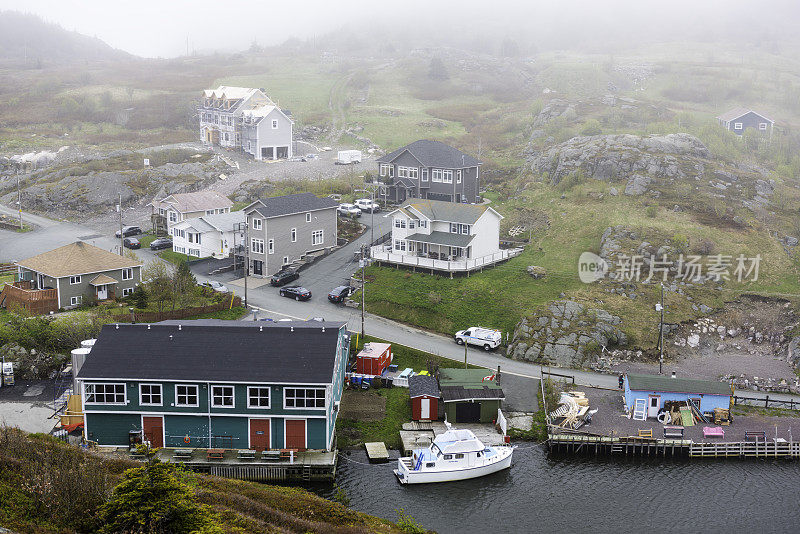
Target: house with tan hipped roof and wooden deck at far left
80	273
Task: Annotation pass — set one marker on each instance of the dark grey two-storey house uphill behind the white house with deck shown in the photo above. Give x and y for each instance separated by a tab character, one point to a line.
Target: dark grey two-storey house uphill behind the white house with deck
430	170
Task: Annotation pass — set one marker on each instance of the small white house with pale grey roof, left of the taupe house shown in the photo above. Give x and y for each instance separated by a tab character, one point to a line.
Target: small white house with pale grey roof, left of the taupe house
209	235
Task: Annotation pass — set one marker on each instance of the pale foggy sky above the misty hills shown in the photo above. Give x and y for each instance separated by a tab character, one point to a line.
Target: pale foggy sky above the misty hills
161	28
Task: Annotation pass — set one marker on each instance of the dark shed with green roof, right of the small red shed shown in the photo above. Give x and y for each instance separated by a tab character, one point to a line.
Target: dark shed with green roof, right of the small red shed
470	395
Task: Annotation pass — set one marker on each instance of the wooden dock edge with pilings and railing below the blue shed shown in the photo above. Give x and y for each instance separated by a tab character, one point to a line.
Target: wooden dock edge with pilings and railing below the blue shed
594	445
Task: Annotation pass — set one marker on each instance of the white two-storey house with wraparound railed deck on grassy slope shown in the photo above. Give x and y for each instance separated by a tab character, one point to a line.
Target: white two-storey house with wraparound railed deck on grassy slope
445	236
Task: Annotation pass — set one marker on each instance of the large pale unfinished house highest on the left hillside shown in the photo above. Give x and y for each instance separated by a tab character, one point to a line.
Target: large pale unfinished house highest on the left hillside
245	118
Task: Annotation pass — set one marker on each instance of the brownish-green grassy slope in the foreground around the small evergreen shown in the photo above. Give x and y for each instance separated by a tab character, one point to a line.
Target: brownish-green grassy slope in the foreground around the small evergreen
48	486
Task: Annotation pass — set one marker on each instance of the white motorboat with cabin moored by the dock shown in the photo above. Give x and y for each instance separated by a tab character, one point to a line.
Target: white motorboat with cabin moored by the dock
453	455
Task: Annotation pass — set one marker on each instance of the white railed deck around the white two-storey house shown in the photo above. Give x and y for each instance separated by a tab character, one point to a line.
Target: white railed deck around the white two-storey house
438	260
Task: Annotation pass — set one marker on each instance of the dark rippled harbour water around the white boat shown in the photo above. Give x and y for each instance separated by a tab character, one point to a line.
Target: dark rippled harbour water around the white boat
542	494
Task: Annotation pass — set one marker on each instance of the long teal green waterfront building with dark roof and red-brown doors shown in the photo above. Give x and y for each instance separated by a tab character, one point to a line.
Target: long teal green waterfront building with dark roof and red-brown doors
212	383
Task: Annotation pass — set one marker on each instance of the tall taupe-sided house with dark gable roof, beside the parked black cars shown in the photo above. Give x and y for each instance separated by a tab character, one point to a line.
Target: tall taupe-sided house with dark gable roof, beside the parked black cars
284	229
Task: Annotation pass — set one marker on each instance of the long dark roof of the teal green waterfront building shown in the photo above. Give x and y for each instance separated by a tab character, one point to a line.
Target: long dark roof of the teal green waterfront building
217	351
